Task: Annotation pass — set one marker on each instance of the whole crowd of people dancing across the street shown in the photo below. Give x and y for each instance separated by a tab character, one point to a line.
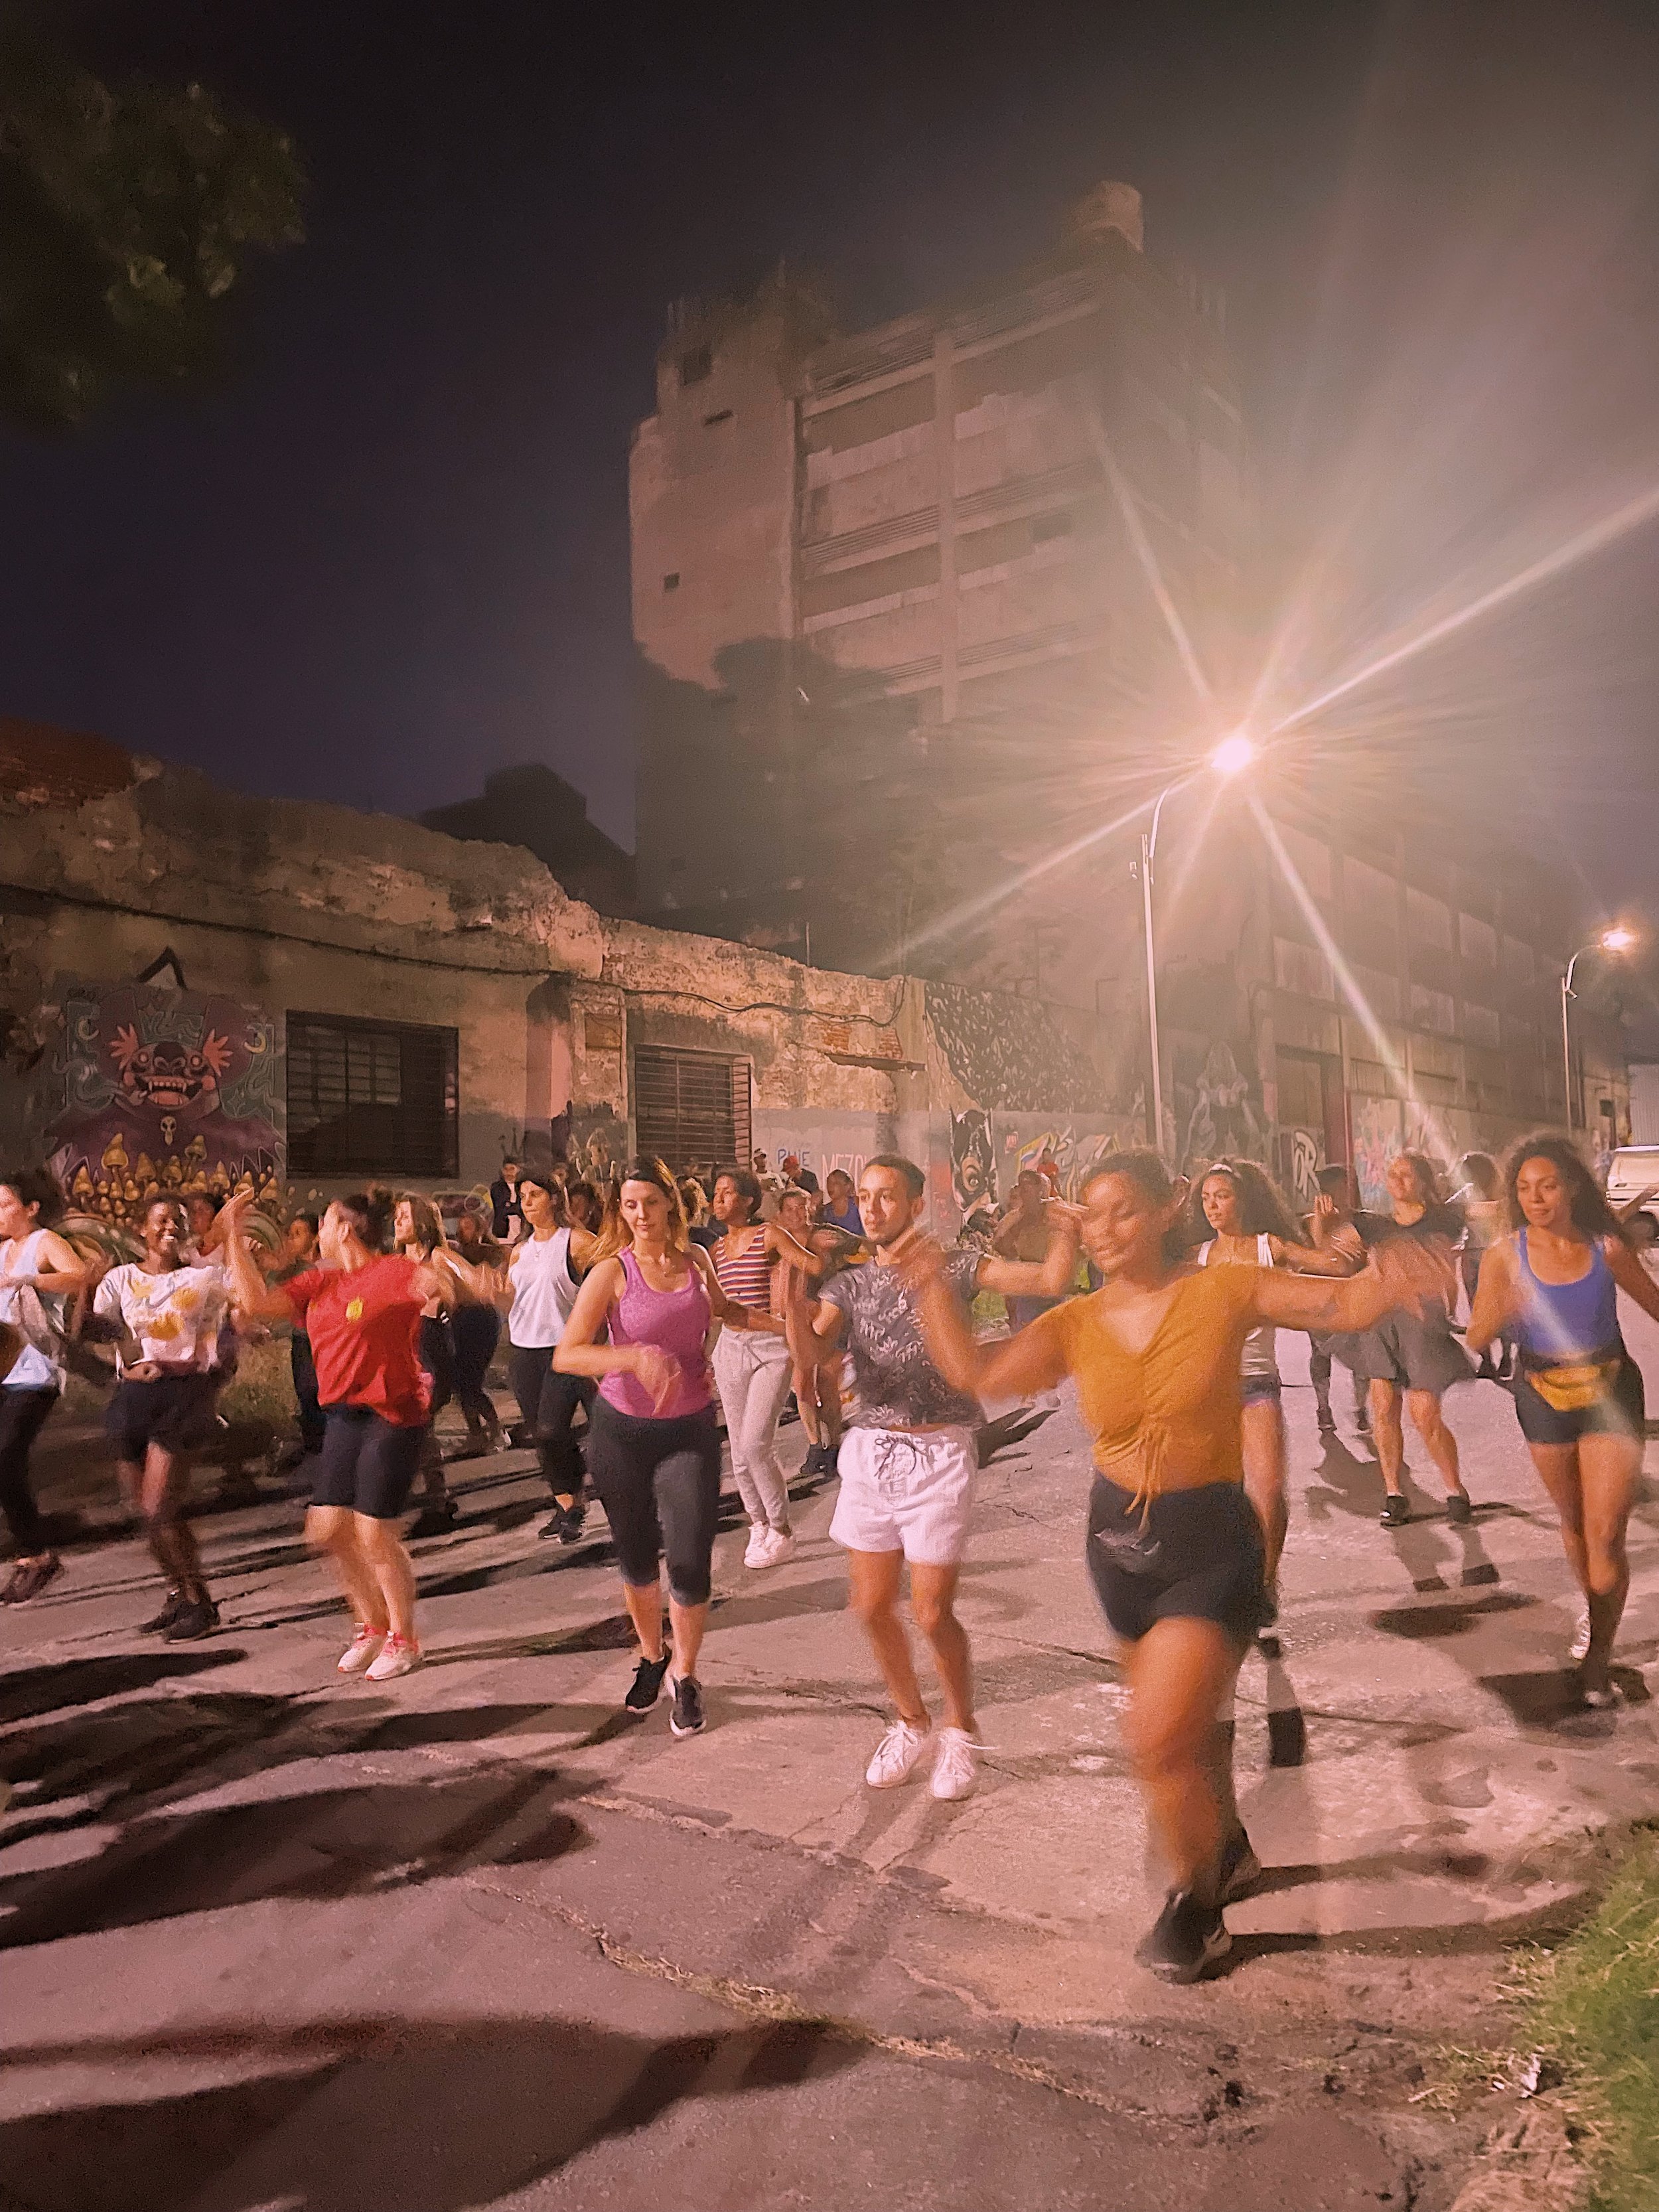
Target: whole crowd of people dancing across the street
1156	1297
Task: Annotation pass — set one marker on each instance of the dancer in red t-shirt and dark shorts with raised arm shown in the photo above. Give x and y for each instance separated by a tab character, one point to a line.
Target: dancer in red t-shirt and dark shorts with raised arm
362	1313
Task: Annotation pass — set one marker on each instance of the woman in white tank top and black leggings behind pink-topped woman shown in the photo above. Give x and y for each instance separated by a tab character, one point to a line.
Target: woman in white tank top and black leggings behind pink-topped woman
543	1275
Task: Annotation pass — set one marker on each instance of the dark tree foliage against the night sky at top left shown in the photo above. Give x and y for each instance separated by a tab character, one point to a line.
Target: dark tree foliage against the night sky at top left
127	216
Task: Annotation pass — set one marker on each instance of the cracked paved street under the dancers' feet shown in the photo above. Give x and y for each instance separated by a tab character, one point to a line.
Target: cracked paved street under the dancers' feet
479	1941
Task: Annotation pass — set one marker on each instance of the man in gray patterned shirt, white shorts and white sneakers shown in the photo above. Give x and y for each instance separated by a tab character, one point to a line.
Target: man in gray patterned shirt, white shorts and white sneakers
908	1459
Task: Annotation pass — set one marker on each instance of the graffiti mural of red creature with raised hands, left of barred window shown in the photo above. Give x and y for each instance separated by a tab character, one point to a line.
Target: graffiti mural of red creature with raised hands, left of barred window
163	1092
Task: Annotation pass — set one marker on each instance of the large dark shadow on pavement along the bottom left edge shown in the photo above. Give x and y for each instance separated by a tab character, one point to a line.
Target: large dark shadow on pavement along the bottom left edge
346	2116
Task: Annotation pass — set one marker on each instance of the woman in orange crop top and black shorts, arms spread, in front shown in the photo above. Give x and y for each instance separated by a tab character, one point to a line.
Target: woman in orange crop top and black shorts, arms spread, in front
1176	1550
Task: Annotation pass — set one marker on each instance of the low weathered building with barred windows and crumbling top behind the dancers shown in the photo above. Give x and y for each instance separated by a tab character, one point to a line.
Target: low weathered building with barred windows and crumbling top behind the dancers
198	985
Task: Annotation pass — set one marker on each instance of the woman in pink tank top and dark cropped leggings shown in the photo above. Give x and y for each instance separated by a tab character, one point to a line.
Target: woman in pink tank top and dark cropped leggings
656	1448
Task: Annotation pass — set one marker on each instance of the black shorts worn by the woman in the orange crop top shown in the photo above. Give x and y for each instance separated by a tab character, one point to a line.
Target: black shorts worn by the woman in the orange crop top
1196	1556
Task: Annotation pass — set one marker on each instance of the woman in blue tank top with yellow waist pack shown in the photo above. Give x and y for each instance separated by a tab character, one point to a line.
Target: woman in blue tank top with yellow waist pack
1552	1286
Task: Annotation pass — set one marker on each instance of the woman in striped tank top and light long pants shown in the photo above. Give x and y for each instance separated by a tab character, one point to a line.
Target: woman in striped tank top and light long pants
753	1368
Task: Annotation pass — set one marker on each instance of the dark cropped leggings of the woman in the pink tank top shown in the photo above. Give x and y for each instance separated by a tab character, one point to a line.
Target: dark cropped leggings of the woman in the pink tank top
660	1485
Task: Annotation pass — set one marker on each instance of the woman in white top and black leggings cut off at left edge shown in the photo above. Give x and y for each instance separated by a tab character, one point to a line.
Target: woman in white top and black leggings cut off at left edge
39	1273
